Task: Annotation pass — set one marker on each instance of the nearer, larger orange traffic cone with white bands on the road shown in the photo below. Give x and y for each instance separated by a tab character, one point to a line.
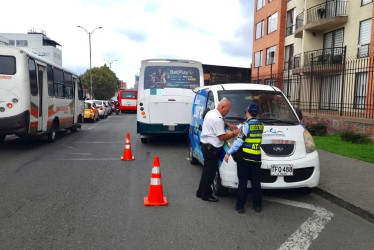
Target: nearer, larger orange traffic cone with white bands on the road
155	195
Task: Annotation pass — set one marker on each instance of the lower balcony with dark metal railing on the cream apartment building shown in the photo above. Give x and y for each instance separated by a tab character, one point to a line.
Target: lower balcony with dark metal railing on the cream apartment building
323	61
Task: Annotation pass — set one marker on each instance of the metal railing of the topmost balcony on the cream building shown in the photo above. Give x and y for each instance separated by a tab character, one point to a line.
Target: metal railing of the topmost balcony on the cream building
329	9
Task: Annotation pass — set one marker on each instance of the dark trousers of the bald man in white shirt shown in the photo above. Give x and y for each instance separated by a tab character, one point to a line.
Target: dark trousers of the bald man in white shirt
211	158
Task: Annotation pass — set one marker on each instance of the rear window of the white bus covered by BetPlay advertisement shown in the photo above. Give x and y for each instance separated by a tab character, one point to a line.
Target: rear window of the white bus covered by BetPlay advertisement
159	77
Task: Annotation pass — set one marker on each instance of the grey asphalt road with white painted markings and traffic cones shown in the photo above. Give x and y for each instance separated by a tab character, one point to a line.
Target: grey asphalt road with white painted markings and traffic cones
76	193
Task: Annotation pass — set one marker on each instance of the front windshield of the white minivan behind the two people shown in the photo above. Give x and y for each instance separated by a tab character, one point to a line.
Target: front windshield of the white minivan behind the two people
274	108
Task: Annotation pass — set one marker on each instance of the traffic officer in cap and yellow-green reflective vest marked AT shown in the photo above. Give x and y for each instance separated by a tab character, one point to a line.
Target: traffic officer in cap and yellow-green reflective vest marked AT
249	139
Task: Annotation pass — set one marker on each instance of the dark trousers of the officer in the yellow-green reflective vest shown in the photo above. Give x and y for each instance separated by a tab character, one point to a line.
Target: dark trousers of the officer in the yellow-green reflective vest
248	170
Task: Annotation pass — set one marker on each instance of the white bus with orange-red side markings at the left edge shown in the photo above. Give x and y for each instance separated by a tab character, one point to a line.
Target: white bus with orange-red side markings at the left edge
36	96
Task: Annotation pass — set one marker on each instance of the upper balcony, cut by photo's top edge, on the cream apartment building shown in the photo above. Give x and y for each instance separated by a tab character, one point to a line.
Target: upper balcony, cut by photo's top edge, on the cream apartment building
324	16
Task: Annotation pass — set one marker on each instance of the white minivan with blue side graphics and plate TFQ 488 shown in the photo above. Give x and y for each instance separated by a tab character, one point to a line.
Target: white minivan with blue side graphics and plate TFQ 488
289	156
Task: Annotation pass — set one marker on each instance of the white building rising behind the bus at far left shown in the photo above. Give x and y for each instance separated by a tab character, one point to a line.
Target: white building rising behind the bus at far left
37	43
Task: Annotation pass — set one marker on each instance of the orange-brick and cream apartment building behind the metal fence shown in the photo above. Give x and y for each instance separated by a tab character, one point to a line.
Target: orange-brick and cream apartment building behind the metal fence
324	55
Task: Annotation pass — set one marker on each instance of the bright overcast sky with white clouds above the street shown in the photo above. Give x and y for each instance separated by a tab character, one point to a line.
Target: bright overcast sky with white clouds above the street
217	32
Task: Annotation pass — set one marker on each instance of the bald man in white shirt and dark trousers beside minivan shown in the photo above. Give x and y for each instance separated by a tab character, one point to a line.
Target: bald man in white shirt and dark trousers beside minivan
212	138
